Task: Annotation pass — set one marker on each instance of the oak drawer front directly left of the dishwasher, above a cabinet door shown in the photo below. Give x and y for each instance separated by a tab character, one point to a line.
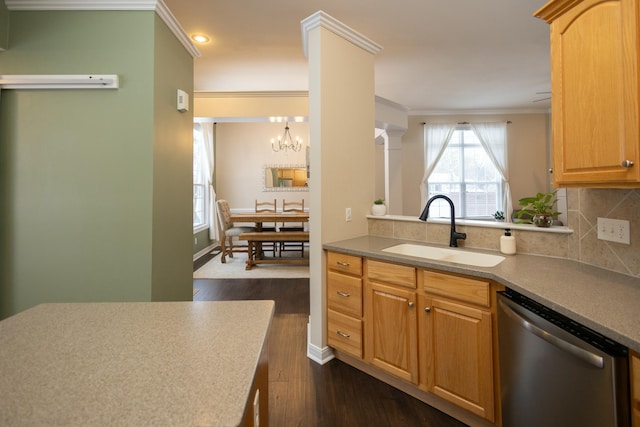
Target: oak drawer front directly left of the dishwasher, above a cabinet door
460	288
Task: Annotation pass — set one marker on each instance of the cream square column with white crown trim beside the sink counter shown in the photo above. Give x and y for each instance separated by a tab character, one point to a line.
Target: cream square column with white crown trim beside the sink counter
341	128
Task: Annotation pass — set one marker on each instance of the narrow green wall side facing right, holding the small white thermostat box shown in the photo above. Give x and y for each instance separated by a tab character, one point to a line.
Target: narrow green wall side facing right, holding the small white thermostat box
172	170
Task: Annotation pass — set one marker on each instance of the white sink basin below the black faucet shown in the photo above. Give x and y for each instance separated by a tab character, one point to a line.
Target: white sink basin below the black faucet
444	254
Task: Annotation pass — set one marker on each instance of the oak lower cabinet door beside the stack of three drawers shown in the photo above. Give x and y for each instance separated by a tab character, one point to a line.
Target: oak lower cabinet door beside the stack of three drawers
391	331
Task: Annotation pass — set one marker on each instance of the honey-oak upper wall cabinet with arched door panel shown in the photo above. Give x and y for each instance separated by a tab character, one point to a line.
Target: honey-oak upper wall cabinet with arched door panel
594	84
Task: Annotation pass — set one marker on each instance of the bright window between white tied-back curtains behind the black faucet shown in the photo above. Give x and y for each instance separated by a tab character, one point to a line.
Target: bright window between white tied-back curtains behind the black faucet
465	174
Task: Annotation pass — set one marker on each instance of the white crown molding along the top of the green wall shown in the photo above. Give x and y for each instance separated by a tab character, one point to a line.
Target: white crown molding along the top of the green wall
158	6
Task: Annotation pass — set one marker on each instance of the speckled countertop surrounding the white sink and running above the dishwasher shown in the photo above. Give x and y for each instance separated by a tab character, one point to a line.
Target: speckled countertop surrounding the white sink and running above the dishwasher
603	300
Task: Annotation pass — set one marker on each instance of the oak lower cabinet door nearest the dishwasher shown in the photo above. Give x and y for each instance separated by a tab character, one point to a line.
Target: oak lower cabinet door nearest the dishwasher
456	354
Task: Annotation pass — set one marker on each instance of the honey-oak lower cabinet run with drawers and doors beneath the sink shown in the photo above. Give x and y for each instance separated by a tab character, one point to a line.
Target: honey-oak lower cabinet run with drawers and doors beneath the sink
431	330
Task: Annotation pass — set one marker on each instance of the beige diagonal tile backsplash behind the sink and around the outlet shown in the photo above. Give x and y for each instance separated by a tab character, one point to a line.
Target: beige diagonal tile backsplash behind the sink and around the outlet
584	206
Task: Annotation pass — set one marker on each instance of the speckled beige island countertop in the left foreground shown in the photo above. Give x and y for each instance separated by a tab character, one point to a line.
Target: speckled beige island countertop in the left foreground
131	364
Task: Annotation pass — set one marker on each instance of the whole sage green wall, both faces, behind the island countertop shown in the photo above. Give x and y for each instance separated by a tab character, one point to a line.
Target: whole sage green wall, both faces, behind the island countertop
86	176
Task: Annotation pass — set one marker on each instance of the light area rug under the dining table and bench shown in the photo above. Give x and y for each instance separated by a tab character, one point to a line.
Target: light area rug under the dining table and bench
234	268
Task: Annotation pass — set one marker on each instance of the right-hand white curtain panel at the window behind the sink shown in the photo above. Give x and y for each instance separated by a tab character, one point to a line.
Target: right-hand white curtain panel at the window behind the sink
493	137
